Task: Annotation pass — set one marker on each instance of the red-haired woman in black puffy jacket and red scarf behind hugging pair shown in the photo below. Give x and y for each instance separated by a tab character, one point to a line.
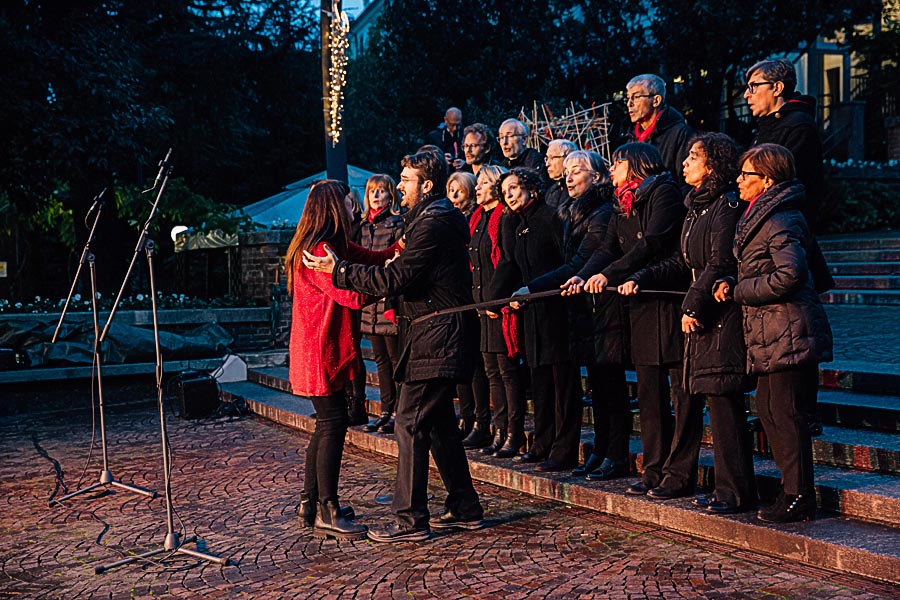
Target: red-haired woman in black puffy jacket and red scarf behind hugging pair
380	227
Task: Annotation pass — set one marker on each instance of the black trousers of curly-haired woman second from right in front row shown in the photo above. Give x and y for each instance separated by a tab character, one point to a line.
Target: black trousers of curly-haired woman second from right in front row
732	450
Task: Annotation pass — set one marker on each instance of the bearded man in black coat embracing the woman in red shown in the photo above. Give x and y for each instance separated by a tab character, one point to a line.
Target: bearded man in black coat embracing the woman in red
432	273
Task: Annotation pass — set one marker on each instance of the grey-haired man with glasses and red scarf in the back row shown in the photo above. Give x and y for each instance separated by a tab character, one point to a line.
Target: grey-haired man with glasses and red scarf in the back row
657	123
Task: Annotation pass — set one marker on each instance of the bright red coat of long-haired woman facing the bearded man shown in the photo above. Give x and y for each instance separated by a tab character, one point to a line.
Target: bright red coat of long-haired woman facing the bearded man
323	338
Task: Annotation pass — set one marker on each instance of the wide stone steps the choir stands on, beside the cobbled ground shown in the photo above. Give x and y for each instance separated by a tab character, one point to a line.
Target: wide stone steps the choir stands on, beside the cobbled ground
857	471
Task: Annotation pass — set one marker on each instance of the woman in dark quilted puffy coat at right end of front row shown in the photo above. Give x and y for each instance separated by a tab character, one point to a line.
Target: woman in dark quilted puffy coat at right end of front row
785	326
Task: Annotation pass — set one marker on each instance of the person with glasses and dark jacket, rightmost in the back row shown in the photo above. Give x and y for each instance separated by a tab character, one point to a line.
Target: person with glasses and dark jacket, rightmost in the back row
788	119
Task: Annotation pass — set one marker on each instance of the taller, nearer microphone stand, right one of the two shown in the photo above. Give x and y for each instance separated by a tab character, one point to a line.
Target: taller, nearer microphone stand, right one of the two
172	543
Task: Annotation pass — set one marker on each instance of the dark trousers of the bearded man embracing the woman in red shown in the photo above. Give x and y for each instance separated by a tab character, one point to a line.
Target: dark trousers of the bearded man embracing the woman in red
426	421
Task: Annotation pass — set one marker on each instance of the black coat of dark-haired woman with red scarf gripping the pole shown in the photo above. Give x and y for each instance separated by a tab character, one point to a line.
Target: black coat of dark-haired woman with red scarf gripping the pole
633	243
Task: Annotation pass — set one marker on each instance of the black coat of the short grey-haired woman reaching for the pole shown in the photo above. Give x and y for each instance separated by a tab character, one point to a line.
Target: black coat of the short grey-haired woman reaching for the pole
598	329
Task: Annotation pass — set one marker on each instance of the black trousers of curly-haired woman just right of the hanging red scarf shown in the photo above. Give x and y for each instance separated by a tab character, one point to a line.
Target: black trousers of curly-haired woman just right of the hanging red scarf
556	392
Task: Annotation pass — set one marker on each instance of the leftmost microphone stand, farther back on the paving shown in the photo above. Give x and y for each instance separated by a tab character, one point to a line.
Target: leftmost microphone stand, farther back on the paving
87	257
